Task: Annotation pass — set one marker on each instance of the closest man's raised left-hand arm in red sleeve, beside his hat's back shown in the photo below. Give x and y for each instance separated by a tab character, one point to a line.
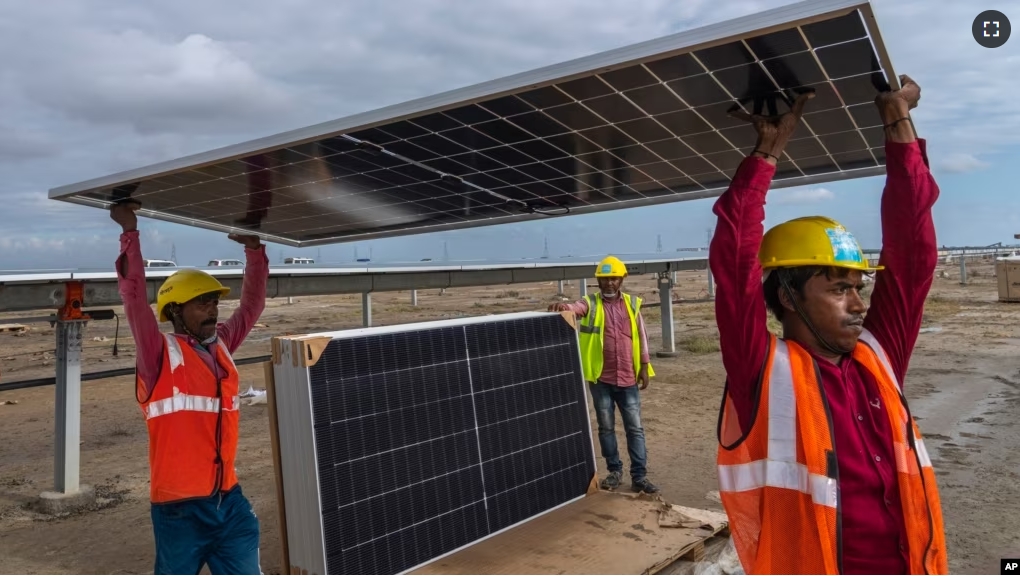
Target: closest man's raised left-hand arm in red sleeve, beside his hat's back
740	303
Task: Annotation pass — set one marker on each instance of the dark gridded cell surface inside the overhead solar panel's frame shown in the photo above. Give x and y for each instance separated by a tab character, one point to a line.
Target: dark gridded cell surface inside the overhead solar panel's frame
651	113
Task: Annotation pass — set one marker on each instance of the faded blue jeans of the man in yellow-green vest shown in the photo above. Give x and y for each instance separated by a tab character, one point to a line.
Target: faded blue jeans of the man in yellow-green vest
606	398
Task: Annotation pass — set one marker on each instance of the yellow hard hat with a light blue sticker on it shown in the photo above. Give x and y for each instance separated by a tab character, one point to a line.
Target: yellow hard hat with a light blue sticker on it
812	241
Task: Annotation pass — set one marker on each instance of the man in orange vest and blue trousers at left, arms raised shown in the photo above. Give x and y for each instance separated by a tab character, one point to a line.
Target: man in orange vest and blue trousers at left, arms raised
188	388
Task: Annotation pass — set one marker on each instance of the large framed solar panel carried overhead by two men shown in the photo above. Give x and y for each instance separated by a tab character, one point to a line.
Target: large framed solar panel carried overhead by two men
311	159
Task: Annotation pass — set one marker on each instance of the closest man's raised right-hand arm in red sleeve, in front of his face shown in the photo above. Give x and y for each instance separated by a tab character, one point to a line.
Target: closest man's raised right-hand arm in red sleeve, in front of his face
909	248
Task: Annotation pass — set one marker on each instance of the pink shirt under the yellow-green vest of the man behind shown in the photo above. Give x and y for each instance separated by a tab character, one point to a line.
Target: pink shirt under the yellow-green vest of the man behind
618	351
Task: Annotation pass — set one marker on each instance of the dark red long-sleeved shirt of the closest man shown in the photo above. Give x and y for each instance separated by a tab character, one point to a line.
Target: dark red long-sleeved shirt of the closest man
874	533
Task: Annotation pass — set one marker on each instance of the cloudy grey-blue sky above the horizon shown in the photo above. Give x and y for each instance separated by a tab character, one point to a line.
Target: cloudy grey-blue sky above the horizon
92	88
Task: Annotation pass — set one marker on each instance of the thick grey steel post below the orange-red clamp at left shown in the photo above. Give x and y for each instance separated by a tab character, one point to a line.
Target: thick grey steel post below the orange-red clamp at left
69	406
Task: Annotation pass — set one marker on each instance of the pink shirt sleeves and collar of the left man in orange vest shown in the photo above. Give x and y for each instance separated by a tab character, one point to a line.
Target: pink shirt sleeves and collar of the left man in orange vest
148	338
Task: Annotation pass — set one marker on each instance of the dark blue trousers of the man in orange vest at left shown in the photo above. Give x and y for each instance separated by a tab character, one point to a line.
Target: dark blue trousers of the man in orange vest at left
194	533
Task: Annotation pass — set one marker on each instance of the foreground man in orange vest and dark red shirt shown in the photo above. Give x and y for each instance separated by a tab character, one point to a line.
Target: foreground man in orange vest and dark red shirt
823	469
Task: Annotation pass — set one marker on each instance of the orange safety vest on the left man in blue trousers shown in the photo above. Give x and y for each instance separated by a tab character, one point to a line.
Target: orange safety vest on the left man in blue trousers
193	425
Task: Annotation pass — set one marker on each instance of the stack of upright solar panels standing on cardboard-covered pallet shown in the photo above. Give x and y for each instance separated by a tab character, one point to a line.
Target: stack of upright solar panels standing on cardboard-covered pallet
401	445
